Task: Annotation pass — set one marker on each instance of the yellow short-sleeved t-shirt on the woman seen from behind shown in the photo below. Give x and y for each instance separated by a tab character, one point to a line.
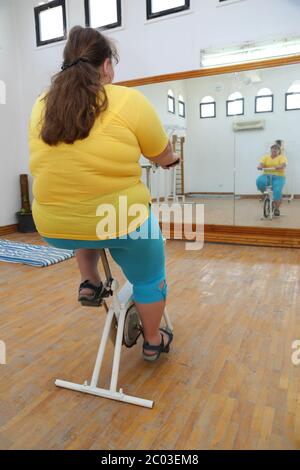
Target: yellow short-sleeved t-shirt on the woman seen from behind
71	181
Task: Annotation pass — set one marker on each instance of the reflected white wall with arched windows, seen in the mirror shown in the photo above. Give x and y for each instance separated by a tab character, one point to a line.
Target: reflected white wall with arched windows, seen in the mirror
213	150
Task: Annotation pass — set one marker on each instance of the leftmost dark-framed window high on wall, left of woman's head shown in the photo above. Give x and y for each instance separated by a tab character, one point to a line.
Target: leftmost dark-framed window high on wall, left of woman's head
50	22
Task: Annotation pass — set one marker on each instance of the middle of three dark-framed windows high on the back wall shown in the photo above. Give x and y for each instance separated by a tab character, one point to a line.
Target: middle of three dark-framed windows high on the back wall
103	14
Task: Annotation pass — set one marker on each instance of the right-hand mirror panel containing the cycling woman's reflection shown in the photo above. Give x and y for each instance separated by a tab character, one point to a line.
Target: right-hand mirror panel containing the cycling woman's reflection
267	147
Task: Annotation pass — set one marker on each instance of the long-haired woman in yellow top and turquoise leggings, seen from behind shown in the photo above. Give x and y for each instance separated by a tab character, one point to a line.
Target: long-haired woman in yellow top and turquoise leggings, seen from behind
86	139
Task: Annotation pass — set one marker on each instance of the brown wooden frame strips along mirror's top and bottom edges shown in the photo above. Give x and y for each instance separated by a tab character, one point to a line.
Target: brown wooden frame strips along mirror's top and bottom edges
233	234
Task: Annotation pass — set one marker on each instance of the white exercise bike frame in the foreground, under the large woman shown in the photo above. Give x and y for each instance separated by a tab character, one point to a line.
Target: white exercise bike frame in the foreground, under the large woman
123	327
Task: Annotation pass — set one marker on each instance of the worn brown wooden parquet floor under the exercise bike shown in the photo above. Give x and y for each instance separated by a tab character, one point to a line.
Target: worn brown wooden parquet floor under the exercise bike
228	382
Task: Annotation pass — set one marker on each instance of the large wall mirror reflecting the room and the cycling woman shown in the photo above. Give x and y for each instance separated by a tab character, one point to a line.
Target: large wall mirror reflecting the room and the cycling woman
225	125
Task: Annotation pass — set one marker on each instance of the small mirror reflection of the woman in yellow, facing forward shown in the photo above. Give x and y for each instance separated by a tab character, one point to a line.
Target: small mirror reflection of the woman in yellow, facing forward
277	164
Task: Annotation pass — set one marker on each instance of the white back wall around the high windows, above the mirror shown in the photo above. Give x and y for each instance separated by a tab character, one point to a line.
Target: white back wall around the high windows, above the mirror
166	45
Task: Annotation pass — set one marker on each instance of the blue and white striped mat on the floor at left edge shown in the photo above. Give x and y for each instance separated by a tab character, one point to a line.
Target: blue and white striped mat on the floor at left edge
33	255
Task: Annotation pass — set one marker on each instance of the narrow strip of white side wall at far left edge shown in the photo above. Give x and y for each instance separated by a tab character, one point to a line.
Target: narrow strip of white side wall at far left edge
10	118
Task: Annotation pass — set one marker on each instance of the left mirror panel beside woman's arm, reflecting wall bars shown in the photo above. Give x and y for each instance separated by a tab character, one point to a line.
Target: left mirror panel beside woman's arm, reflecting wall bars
206	173
